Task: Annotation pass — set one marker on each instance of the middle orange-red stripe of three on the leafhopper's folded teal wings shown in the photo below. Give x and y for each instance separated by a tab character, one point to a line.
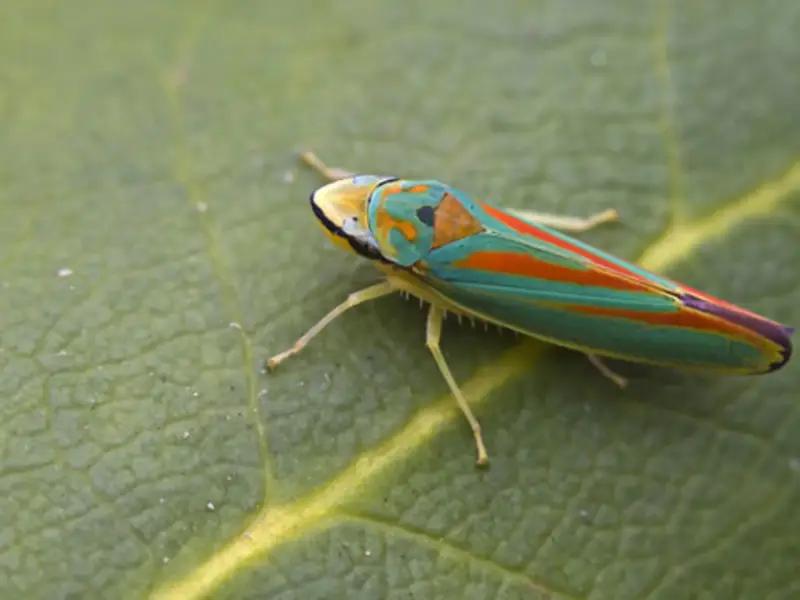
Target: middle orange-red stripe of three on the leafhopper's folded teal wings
514	263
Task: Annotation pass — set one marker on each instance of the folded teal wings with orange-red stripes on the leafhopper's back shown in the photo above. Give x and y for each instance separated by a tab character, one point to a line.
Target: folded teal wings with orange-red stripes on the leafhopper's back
543	283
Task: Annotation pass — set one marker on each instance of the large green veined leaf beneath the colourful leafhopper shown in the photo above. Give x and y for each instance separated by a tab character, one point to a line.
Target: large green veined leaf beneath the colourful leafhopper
156	245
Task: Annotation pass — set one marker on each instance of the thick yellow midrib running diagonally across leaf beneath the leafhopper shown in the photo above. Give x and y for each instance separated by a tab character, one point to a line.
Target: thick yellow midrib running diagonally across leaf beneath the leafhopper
275	526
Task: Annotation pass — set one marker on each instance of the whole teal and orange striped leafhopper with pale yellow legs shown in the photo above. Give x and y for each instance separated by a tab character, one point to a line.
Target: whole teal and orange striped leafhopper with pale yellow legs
515	270
